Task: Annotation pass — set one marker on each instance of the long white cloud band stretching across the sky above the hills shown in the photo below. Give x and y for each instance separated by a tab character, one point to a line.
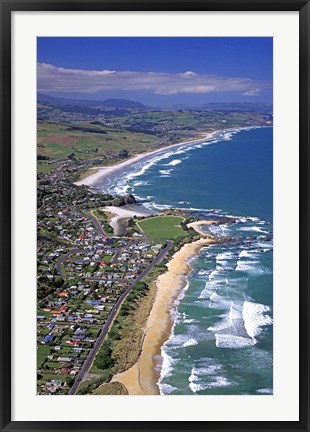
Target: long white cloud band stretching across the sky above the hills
58	79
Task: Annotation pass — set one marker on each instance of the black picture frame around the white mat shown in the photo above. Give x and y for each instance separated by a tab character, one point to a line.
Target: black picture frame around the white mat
7	7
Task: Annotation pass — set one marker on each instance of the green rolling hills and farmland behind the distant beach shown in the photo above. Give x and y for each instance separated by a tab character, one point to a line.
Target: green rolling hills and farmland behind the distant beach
135	132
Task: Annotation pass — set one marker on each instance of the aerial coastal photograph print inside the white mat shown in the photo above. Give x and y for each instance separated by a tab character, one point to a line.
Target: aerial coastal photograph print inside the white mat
154	216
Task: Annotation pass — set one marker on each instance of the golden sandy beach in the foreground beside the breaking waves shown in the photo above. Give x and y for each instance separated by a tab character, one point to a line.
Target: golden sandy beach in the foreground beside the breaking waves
141	379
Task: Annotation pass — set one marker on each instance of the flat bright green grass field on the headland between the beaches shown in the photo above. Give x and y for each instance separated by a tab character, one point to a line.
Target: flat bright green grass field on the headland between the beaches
162	227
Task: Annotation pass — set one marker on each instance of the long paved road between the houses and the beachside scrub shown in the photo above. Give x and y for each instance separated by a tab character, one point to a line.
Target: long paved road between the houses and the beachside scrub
105	328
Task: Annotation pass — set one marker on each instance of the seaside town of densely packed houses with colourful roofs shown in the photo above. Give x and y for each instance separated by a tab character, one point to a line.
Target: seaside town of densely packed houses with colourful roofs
84	274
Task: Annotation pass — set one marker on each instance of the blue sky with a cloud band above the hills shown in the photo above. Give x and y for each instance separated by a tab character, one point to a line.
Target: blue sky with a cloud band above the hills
157	71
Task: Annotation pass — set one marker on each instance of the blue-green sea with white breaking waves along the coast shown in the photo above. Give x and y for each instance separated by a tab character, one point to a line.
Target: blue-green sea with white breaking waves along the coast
221	341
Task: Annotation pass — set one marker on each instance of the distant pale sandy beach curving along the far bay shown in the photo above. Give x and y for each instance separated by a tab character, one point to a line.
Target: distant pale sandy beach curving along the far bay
104	172
